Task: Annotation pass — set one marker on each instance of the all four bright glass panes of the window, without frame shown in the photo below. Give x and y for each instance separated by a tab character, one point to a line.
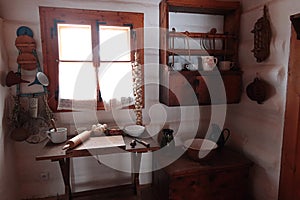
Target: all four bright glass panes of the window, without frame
76	67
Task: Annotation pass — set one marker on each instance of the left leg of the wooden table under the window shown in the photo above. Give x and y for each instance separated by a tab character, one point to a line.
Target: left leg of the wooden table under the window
65	171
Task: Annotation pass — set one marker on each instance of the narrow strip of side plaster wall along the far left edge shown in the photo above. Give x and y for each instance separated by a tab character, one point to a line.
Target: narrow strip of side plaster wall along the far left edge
8	186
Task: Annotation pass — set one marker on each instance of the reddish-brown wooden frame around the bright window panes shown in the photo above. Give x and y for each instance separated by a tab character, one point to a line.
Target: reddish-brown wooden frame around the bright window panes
49	16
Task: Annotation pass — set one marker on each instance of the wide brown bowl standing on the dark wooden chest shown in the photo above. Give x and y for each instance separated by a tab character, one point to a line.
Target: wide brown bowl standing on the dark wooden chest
200	149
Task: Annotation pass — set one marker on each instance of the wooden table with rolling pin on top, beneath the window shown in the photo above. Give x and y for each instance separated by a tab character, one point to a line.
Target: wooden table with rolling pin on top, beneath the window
54	152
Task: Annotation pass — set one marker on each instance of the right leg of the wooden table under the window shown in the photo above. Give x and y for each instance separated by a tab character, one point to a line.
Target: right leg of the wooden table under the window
136	163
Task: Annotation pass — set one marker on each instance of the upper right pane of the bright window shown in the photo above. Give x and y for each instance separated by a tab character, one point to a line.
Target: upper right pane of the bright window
114	43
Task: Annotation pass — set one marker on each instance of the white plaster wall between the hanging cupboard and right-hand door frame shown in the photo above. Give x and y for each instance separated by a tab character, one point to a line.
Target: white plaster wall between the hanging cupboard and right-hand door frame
257	129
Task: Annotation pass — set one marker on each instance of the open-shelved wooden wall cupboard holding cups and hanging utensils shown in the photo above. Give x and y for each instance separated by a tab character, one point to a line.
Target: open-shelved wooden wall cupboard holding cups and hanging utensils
190	87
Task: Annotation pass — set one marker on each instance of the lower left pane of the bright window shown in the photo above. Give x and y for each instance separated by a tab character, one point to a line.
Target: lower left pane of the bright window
77	80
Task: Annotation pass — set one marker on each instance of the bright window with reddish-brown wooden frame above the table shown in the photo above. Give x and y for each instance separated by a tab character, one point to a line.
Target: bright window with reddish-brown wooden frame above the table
87	56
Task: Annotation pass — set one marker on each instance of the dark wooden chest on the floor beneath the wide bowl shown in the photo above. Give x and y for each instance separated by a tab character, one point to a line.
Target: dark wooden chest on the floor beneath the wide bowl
224	177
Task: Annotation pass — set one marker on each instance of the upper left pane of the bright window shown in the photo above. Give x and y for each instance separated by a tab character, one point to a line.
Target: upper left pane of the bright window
75	42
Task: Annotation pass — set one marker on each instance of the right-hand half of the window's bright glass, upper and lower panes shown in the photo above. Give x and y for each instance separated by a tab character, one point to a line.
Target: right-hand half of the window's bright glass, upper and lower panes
115	77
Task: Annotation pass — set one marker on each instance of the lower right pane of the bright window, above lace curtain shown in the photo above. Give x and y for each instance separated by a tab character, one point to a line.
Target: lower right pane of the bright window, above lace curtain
115	80
